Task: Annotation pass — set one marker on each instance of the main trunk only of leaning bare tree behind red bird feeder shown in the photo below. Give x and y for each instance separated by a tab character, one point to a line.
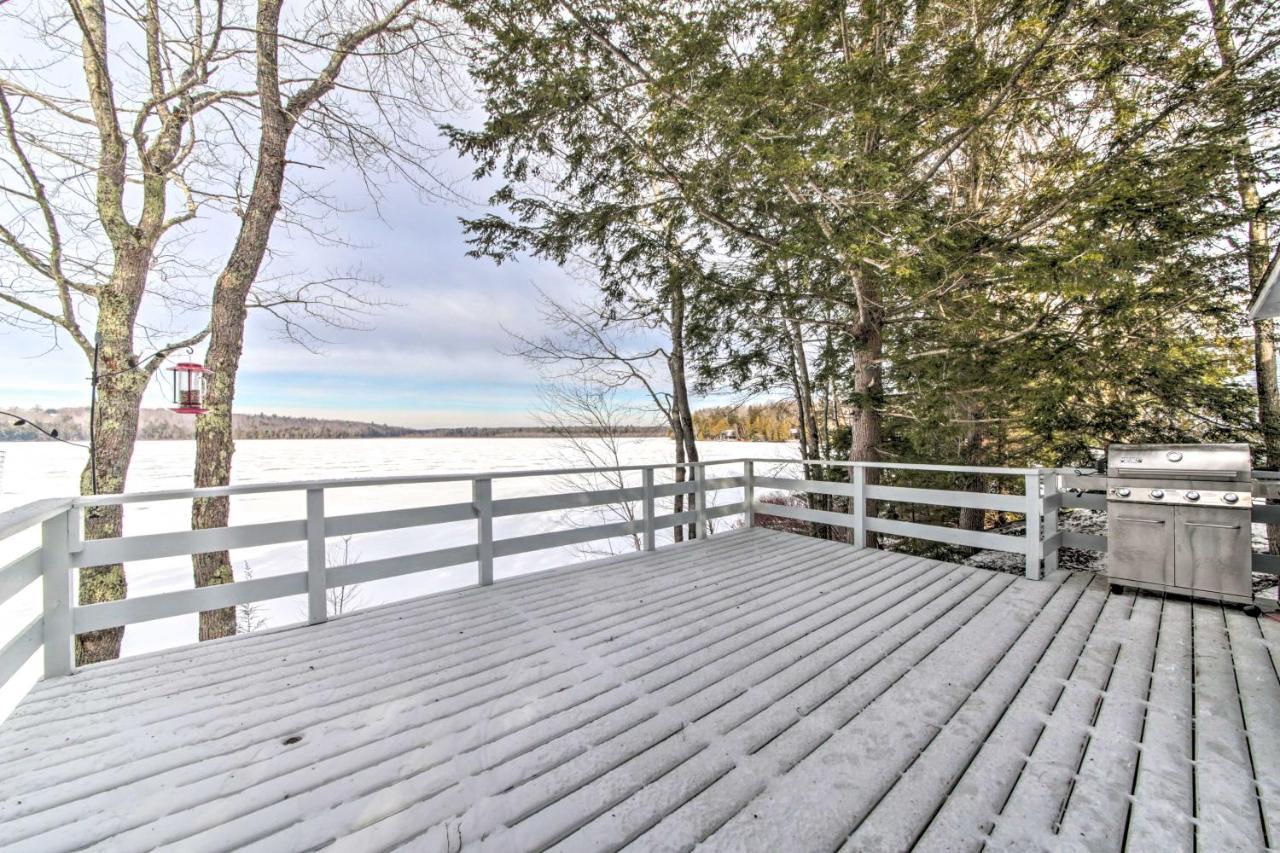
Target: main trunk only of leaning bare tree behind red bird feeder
214	443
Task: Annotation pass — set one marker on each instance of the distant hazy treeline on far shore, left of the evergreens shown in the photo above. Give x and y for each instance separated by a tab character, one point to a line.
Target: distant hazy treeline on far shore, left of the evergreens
162	425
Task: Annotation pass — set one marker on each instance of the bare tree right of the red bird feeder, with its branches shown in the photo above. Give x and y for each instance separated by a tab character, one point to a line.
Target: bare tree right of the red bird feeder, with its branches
354	83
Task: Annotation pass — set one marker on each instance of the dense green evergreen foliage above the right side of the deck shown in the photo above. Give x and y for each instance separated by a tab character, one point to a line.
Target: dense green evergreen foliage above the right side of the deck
1003	229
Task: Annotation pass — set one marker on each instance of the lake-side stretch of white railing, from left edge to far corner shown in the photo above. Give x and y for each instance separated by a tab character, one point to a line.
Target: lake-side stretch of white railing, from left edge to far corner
63	550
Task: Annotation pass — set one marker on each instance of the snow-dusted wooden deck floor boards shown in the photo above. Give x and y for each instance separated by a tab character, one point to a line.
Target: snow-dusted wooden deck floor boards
757	691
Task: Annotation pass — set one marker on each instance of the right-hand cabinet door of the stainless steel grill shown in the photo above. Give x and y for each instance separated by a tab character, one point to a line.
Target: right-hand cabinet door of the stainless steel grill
1214	550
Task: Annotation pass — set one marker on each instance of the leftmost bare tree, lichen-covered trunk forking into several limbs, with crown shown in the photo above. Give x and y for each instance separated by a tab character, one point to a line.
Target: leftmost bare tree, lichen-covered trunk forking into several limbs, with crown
102	147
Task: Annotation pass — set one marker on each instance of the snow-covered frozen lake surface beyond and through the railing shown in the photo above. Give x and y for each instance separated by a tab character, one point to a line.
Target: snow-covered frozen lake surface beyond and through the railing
35	471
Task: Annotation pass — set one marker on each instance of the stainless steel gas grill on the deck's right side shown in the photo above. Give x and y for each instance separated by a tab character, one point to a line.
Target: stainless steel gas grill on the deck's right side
1180	519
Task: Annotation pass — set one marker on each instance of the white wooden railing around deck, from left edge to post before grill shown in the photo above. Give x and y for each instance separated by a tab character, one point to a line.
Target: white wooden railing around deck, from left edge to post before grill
63	550
